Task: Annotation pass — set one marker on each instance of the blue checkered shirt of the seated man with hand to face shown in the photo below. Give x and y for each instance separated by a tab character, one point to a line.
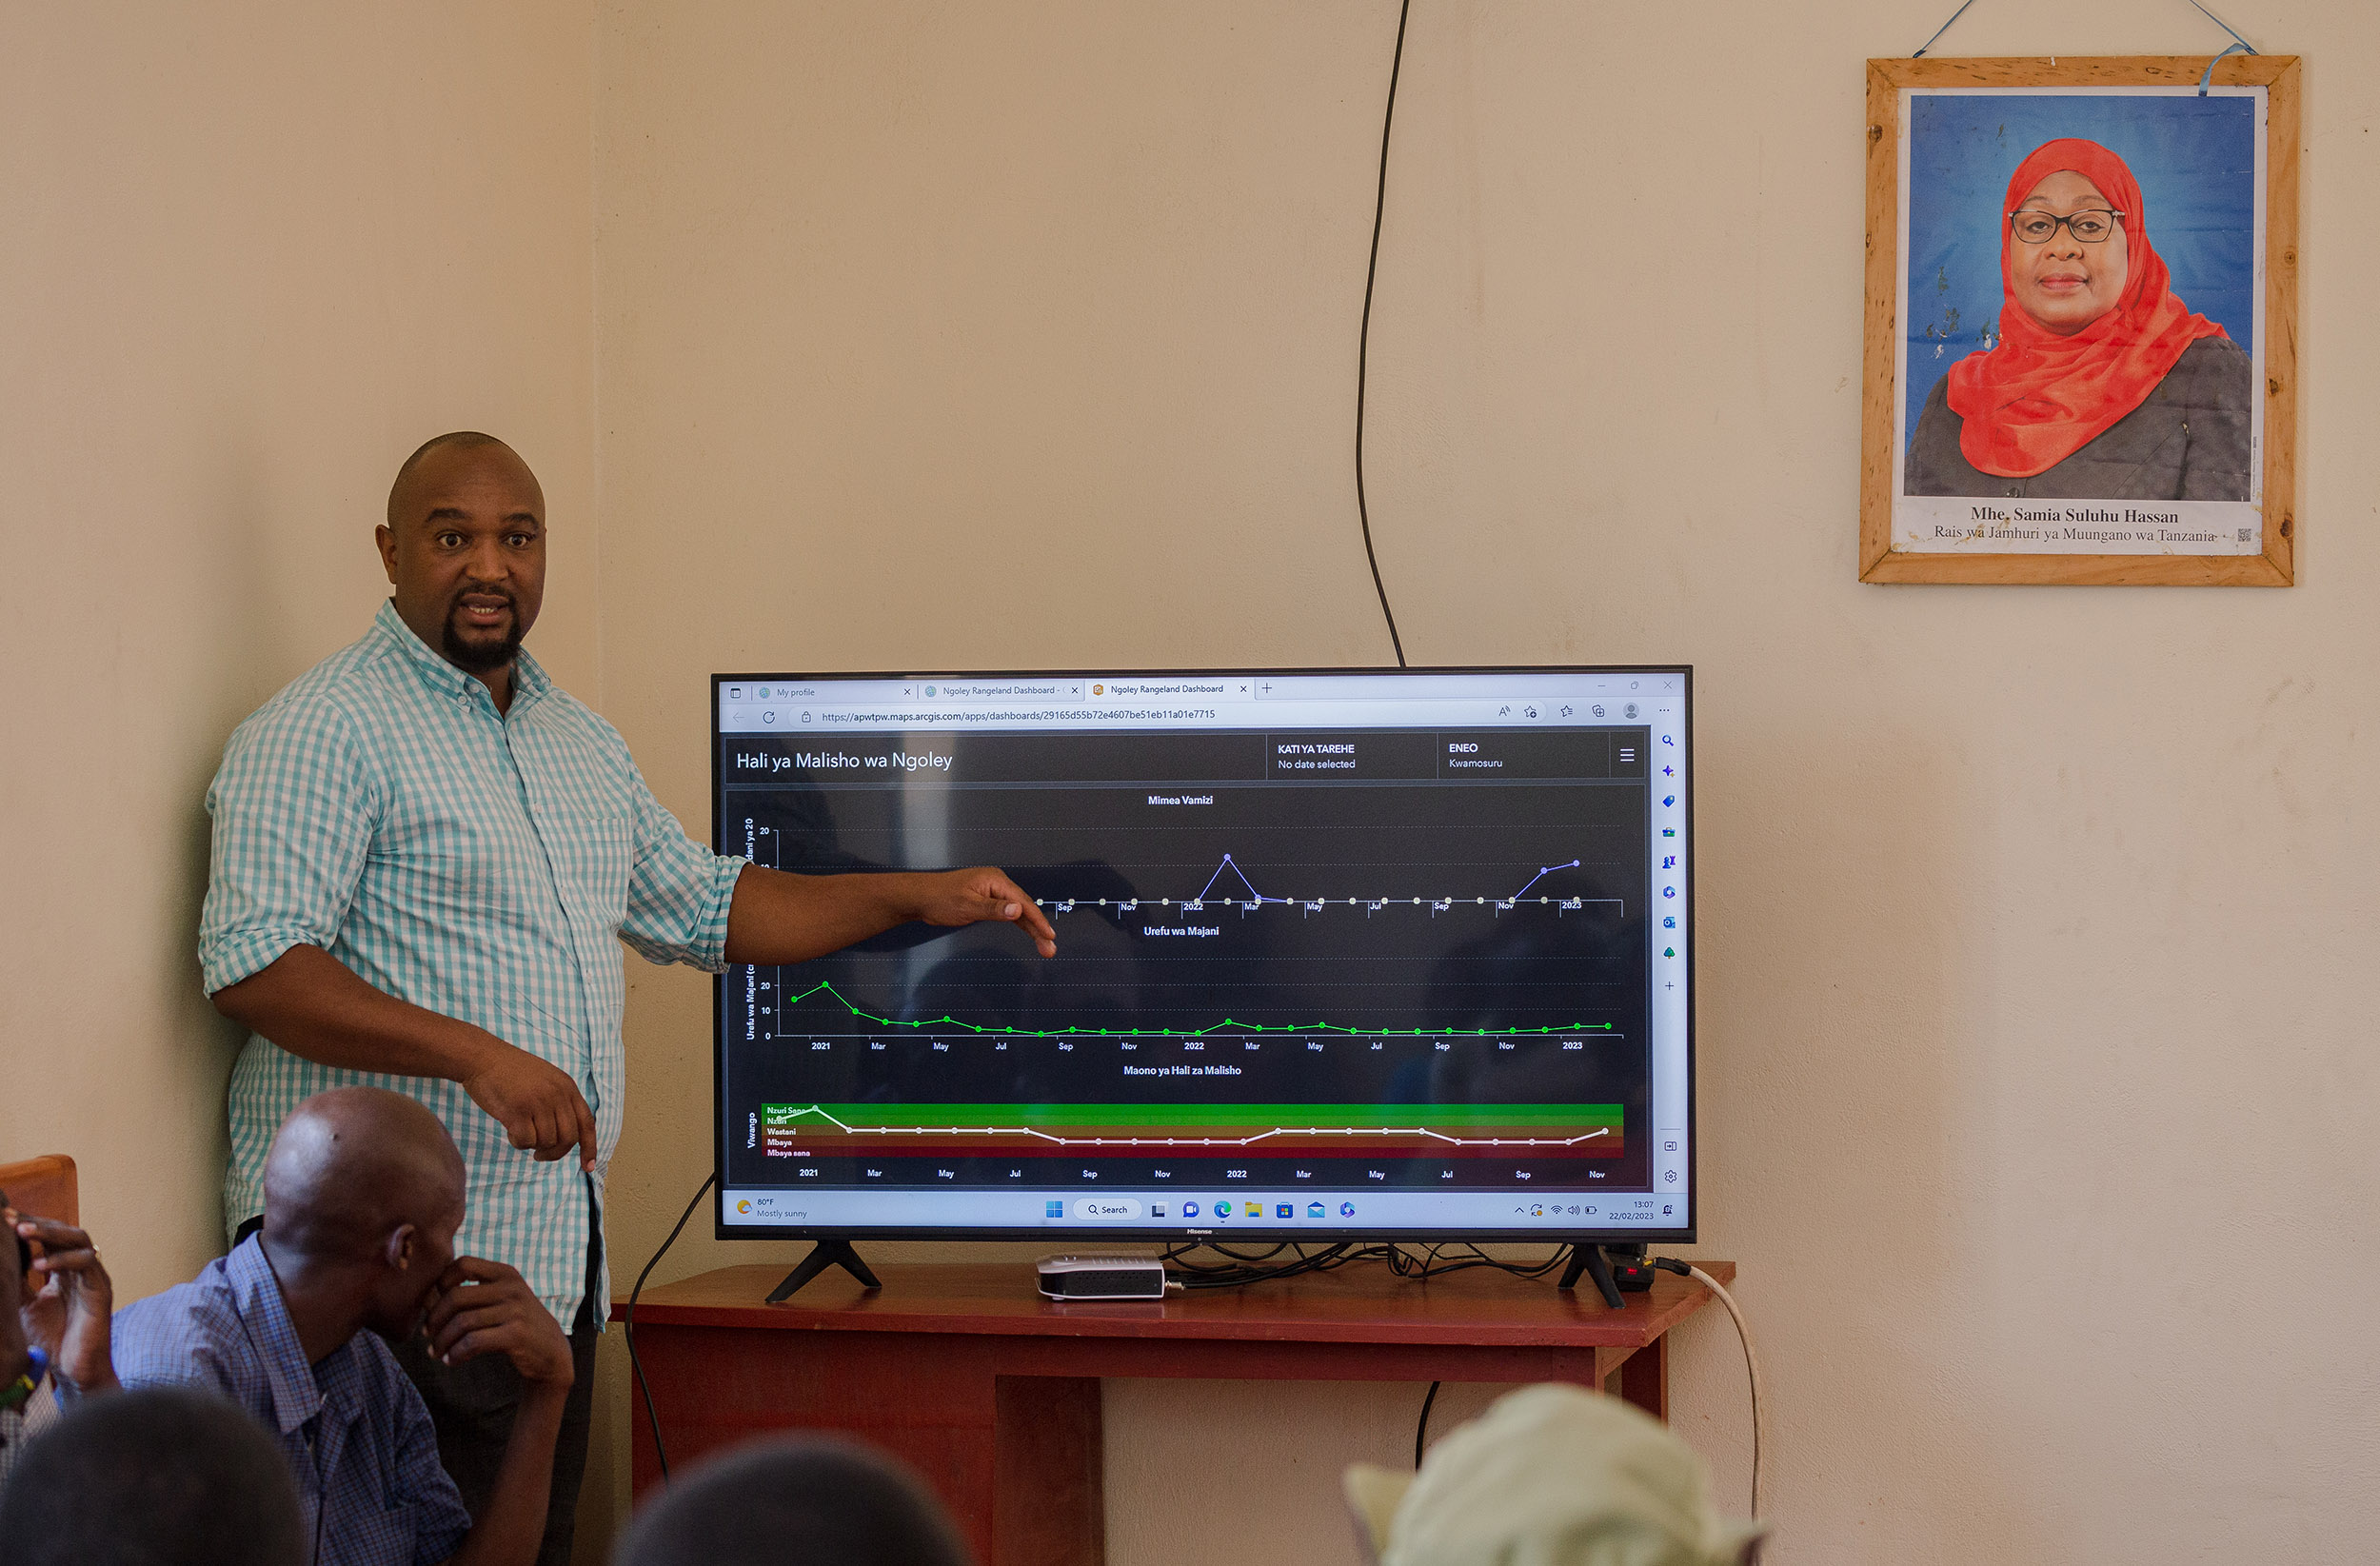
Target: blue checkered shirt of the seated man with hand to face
353	1429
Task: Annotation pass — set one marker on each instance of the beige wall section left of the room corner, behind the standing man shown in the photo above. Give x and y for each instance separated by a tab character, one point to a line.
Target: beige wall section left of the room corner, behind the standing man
251	256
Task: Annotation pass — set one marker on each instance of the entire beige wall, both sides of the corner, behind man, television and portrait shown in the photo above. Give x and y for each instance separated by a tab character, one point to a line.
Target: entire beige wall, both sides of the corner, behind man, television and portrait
1025	334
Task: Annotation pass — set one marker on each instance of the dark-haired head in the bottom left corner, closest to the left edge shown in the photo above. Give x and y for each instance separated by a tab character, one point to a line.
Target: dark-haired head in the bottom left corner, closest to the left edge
158	1477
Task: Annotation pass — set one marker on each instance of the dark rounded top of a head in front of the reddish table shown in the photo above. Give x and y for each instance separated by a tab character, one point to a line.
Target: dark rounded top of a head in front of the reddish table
794	1503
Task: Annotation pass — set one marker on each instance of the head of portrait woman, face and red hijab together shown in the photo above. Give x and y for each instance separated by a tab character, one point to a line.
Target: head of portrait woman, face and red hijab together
2091	322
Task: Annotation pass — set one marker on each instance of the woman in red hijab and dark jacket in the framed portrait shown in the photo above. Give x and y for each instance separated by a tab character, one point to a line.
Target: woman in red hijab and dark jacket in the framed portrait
2103	384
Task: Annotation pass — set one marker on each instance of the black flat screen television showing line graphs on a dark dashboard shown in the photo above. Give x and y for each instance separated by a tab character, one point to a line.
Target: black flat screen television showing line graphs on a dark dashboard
1341	956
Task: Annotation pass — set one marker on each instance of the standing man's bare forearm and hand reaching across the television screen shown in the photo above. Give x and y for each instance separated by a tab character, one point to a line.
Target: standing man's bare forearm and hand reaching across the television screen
784	917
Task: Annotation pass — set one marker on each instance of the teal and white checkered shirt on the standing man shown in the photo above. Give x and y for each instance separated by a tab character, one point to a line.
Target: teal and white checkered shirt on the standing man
480	865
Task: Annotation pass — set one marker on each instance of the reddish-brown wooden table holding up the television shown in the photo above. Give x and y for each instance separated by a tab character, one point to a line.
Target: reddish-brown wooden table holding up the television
994	1393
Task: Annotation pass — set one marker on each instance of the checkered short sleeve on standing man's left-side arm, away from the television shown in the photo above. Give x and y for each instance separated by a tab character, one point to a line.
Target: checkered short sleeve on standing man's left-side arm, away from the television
294	813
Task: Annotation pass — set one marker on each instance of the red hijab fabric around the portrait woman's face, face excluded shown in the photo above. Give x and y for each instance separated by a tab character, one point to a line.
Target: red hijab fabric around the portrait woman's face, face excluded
2038	399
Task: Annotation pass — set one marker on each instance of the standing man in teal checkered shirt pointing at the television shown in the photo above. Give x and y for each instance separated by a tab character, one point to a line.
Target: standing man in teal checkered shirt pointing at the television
422	860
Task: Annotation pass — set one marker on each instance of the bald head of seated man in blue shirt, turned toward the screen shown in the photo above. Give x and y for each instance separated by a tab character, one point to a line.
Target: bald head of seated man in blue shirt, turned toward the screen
351	1167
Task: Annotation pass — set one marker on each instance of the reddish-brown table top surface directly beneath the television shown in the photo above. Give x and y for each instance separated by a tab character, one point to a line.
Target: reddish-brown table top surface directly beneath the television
1355	1305
